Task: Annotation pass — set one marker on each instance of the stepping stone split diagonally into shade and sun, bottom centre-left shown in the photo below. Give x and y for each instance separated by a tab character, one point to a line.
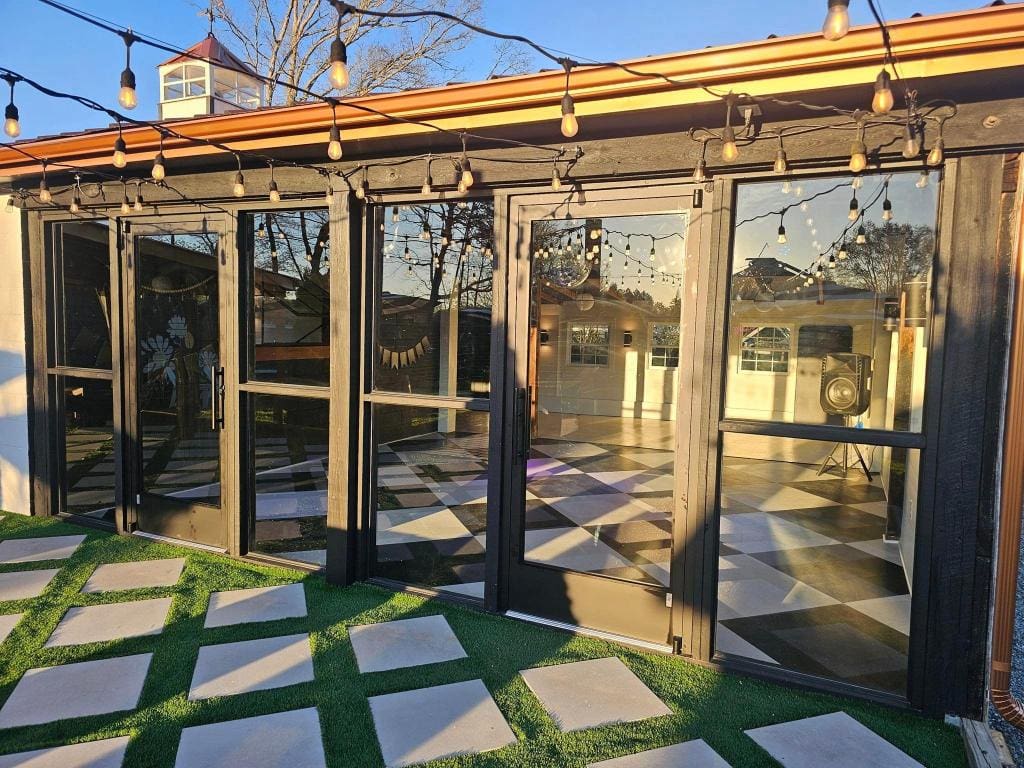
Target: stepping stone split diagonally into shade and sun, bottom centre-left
431	723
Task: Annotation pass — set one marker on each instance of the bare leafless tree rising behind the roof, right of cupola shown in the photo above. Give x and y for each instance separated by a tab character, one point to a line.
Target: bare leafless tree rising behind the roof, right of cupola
289	40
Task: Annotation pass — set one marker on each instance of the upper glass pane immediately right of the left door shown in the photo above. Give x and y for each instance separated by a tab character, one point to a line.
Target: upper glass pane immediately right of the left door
291	296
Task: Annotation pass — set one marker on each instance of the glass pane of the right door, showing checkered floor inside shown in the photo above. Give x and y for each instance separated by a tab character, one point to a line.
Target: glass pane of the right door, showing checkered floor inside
601	475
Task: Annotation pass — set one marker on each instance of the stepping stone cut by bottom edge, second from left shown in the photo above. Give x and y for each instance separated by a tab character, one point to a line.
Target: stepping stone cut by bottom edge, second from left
285	740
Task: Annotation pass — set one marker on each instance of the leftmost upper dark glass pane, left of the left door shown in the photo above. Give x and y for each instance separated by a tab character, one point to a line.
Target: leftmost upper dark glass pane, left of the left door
83	282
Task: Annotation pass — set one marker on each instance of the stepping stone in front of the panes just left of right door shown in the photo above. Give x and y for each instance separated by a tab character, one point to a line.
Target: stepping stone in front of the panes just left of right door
409	643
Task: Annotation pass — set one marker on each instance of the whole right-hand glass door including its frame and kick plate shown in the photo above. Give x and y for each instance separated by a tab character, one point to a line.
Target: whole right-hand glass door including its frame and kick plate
602	383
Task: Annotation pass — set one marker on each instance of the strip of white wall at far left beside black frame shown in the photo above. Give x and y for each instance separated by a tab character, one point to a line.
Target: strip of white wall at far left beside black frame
14	392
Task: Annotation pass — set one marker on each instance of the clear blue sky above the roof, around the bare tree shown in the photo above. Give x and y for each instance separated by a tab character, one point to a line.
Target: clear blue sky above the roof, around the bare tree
61	53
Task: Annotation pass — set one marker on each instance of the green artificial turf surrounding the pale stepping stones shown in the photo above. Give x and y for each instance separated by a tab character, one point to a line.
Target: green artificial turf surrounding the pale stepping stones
707	705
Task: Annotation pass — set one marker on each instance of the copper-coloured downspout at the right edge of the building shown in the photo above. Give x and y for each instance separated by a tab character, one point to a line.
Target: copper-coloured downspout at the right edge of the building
1012	497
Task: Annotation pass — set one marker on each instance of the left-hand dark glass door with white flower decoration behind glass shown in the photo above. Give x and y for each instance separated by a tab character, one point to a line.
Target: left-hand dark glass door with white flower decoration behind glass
176	380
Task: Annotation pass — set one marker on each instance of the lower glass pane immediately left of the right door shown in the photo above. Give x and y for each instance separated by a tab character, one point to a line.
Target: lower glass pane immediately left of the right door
432	497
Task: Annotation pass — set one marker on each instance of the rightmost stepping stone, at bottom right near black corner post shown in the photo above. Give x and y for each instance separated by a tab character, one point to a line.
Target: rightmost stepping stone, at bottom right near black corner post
837	741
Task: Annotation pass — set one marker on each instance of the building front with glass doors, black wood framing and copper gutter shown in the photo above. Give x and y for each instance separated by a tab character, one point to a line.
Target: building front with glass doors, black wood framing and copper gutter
623	405
